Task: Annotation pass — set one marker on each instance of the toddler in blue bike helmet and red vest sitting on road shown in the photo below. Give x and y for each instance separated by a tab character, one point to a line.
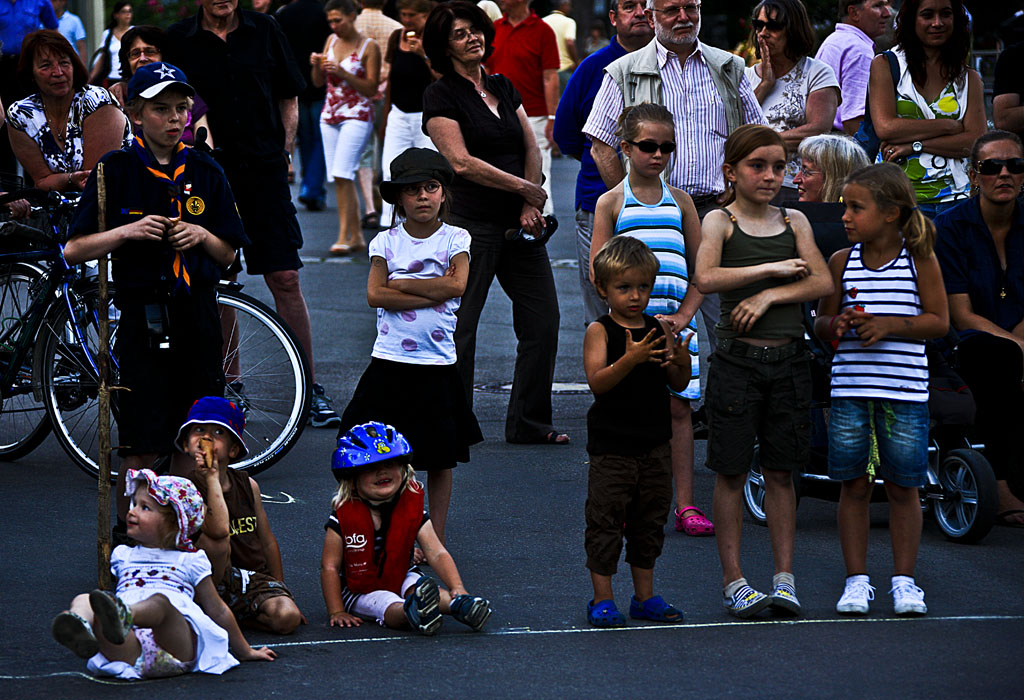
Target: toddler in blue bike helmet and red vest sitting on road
366	572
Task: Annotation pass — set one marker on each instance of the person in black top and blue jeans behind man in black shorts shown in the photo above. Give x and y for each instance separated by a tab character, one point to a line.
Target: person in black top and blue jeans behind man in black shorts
305	23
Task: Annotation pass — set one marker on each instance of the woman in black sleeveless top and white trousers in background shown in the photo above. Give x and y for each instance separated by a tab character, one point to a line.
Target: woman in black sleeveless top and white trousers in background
410	76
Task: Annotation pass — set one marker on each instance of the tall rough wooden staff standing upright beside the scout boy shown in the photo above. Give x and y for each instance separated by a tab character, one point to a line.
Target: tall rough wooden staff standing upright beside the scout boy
104	483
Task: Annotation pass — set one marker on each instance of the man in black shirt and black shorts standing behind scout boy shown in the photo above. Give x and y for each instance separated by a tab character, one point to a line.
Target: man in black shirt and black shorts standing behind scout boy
243	66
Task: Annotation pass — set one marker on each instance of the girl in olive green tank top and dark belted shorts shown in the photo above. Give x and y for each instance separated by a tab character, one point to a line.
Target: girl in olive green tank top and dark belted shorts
764	264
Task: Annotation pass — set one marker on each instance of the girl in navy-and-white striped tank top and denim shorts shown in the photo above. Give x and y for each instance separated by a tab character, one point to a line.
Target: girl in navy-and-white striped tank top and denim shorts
889	299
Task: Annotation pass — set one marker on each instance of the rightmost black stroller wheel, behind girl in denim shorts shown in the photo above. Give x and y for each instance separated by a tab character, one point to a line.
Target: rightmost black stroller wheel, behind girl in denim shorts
966	509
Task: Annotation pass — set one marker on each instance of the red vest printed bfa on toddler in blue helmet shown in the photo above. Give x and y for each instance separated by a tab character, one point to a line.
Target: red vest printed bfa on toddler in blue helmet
363	574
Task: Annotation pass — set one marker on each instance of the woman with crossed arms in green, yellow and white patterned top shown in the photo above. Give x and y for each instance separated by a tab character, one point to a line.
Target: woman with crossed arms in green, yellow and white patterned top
930	119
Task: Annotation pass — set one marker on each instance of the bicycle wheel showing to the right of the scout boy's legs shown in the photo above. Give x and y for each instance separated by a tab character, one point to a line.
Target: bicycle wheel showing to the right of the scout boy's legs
268	376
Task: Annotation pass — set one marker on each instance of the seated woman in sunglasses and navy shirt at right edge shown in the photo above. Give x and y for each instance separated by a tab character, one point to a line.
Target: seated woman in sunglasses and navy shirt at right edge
982	251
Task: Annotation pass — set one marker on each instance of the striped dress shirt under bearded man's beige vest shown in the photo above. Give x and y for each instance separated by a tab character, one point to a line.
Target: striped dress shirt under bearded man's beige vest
690	94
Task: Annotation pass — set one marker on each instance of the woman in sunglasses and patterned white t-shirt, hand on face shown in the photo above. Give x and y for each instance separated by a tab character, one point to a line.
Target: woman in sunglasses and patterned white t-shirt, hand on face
798	95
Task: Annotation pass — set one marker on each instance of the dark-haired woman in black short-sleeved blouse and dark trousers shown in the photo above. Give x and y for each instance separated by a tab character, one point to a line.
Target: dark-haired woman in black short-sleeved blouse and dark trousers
479	124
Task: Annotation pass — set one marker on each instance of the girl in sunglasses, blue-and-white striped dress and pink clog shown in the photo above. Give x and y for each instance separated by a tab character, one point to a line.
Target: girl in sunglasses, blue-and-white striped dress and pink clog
645	207
